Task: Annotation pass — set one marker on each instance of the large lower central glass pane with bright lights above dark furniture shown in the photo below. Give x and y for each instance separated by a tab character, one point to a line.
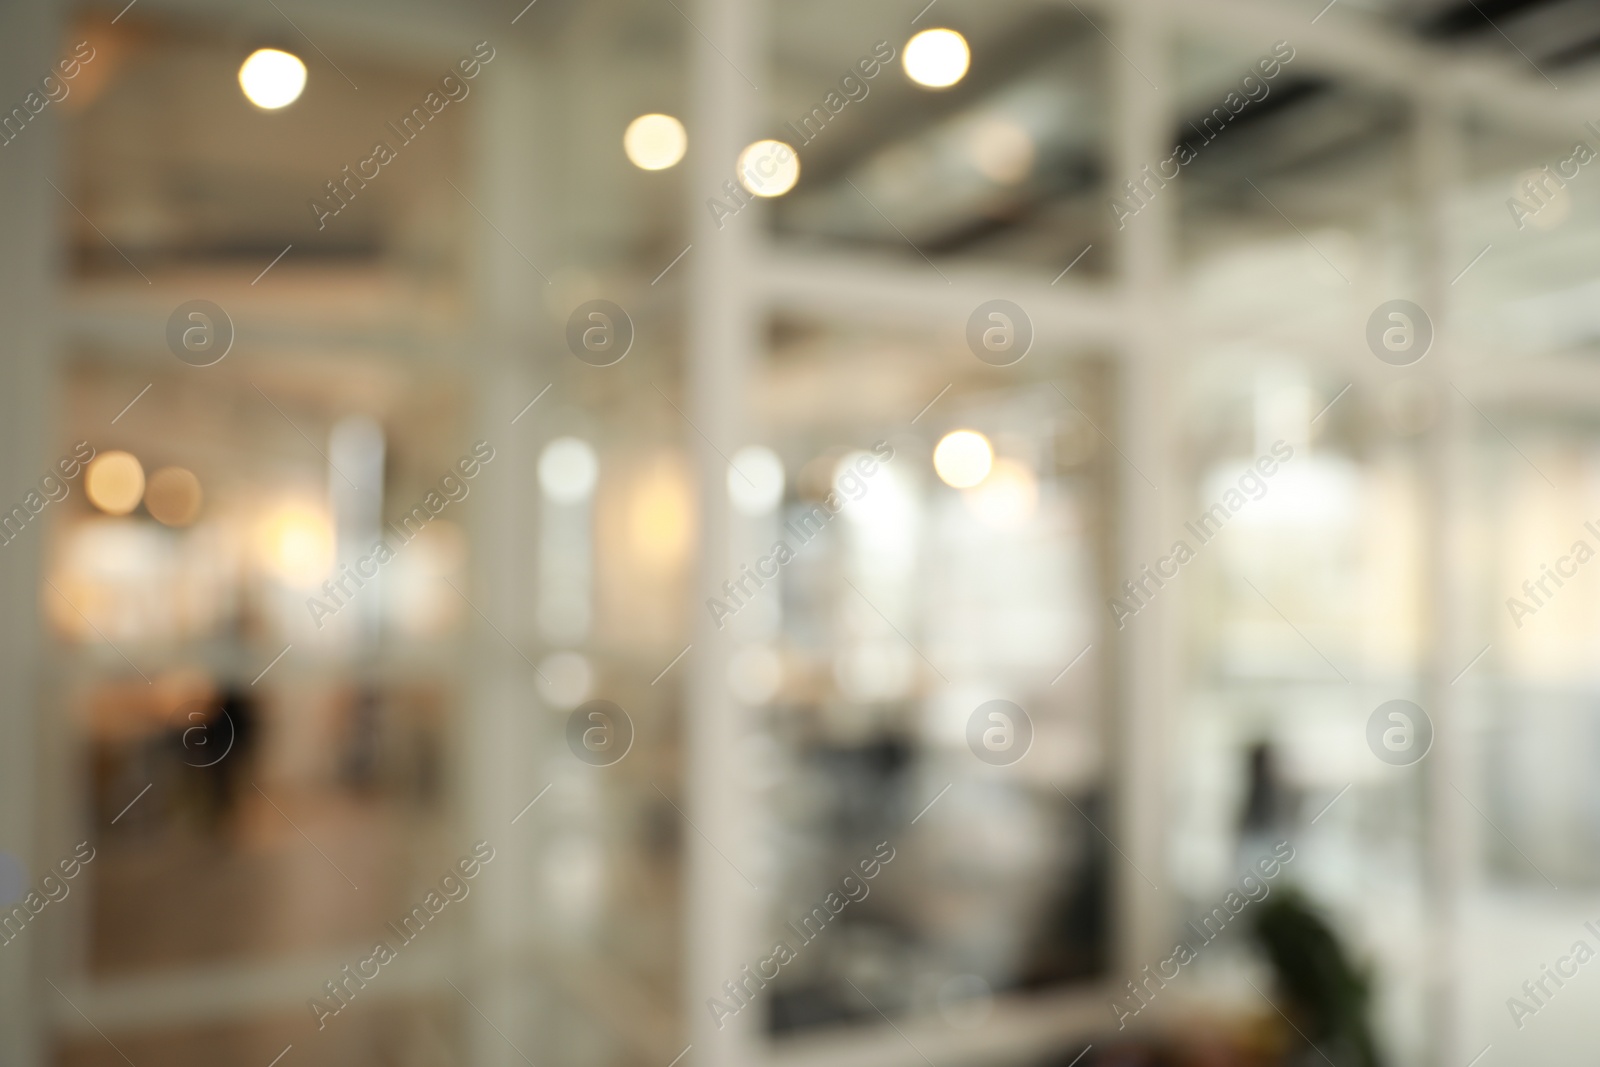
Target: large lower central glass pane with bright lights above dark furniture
919	626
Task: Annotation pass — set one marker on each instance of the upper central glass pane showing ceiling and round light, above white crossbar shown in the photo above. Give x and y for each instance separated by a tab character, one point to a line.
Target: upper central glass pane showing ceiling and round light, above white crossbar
1006	167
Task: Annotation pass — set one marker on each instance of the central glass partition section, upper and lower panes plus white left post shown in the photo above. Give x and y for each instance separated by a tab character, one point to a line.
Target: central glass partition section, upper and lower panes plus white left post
906	708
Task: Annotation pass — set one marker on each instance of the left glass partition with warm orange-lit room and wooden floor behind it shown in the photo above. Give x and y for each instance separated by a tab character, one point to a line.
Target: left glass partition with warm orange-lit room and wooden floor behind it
362	540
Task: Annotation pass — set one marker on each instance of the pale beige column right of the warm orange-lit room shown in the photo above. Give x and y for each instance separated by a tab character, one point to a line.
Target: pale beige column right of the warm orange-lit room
505	737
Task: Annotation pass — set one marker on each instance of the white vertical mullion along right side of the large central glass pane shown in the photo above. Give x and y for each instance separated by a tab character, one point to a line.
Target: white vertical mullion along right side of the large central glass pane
1142	84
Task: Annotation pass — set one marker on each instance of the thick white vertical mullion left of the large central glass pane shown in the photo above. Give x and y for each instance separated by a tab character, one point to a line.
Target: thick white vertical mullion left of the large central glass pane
722	916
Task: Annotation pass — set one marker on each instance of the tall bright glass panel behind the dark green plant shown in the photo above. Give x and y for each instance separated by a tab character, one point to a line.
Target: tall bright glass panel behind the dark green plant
1306	513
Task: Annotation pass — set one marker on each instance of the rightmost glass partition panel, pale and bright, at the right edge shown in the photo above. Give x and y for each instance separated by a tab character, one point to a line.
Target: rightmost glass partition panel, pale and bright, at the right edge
1527	367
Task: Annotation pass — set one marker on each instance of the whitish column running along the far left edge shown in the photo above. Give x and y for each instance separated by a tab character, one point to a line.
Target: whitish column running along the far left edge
30	238
